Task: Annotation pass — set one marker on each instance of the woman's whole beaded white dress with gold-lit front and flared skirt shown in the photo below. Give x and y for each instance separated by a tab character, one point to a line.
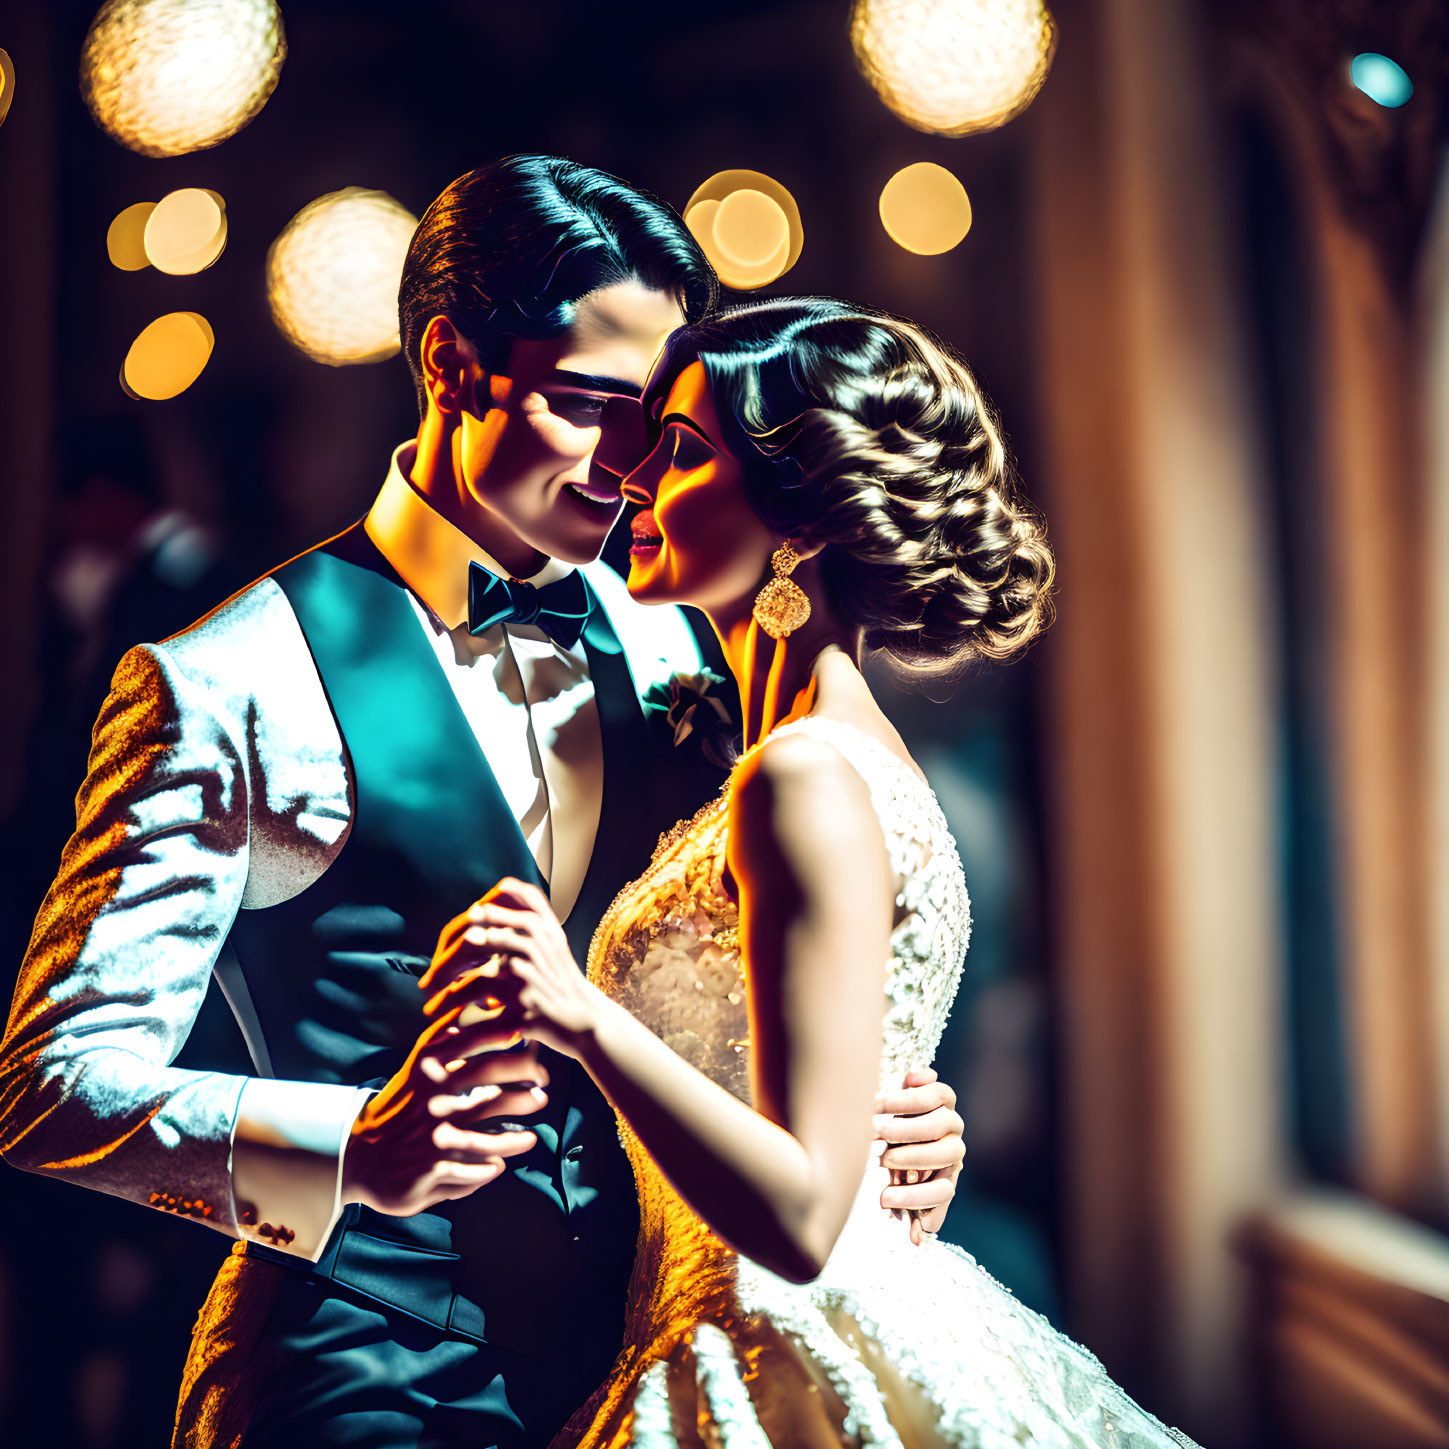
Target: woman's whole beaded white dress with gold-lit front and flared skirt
893	1345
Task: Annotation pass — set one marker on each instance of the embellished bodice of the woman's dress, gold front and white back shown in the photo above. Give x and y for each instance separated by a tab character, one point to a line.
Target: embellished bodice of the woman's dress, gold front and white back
669	951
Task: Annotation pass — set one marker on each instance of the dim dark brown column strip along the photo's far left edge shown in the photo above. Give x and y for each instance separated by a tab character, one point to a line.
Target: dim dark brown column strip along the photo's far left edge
27	373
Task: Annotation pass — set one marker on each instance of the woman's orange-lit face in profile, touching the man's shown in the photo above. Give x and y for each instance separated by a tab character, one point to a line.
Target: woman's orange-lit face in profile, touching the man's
696	541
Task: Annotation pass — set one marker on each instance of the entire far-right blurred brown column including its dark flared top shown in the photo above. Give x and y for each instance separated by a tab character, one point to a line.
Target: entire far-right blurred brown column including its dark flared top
1364	183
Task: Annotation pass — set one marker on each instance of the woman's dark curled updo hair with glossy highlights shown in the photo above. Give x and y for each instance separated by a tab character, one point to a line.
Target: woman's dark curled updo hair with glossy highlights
863	433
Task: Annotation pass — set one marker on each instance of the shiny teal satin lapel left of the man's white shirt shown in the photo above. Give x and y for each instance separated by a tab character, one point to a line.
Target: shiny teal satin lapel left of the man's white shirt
428	793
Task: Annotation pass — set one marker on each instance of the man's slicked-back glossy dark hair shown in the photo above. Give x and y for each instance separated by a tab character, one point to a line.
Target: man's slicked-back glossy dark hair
508	250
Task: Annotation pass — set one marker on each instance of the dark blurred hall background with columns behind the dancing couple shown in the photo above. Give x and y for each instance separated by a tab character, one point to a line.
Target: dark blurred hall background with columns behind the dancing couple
1203	1041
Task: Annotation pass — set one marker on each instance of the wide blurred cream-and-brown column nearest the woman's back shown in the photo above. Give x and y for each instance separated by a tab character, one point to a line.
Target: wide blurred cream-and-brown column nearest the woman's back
1163	730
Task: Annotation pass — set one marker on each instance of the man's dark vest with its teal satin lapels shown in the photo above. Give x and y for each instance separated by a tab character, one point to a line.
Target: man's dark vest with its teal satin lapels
538	1260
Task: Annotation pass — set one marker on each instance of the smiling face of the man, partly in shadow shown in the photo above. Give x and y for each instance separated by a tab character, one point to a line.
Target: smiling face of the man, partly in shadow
527	448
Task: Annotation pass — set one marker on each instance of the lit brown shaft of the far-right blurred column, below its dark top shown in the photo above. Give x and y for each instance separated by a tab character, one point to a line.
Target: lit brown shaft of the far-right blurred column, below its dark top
1373	485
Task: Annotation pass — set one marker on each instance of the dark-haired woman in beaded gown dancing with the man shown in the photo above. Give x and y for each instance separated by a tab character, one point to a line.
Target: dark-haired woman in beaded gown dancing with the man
799	943
